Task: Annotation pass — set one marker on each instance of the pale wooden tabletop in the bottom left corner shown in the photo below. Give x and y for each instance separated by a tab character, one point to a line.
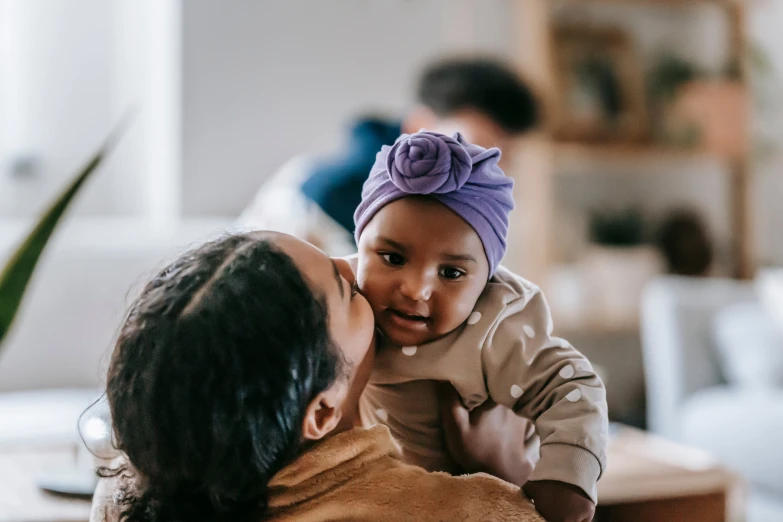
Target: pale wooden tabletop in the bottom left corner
20	498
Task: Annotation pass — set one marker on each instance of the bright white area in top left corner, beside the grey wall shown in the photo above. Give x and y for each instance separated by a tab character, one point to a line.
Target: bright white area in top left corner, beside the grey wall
69	69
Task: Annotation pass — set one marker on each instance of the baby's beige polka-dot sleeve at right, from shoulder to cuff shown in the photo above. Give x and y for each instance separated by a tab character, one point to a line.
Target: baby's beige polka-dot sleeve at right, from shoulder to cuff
546	380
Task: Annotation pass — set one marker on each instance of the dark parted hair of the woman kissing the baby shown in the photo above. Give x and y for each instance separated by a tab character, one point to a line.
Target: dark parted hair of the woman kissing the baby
210	379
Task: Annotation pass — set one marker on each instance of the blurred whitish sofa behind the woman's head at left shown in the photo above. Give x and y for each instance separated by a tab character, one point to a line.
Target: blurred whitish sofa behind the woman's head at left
53	364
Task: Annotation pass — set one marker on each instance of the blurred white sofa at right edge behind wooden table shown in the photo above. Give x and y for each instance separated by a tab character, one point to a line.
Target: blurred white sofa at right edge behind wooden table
690	398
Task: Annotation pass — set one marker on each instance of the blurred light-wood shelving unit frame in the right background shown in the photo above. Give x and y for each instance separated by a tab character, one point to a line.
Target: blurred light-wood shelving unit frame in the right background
545	159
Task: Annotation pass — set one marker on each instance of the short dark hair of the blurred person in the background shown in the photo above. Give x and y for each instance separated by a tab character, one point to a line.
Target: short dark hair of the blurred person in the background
486	85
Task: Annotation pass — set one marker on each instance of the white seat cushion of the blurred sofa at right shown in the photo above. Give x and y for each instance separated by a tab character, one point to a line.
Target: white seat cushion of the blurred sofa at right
742	428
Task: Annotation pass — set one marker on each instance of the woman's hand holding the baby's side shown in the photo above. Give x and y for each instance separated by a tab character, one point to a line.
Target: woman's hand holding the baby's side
491	438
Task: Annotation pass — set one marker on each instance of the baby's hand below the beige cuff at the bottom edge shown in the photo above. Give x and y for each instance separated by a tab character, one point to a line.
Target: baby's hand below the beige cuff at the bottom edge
560	502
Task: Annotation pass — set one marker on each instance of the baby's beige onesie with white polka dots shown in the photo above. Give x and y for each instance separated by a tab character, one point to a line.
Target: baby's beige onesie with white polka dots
504	351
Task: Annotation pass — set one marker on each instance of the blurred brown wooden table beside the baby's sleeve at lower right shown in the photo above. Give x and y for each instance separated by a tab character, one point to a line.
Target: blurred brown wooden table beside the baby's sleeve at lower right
649	479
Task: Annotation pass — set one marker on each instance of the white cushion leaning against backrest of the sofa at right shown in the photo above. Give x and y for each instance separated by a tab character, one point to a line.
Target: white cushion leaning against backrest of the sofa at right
750	346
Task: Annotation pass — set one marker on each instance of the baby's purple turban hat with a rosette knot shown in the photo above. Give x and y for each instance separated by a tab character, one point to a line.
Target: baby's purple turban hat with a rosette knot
464	177
